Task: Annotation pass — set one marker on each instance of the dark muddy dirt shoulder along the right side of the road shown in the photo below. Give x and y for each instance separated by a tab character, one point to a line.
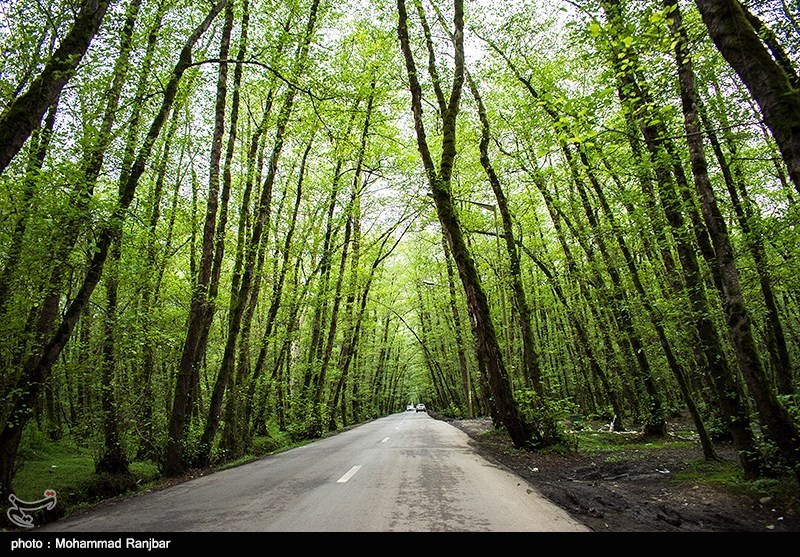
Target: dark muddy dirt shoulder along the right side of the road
638	492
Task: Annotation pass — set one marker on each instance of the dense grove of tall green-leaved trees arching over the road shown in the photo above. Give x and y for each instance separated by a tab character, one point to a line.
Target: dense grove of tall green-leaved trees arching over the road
223	219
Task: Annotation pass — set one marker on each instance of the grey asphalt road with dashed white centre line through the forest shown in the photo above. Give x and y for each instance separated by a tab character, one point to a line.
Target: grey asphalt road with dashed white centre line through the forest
403	473
